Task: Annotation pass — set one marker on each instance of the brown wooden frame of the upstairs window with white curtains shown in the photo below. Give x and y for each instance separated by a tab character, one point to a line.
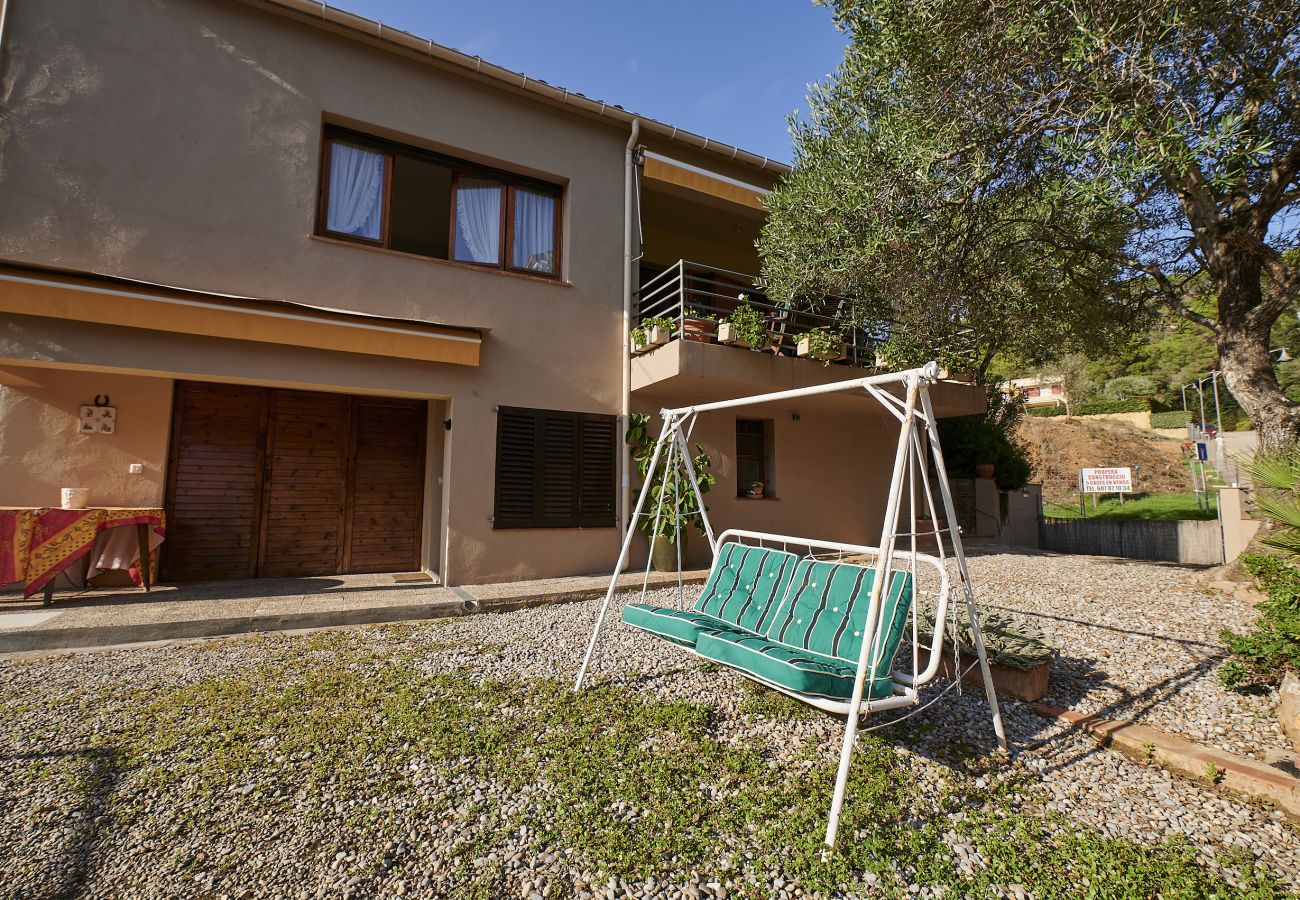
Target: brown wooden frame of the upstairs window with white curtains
460	168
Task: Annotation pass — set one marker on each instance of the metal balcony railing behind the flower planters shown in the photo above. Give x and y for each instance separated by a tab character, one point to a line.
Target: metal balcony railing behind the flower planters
696	297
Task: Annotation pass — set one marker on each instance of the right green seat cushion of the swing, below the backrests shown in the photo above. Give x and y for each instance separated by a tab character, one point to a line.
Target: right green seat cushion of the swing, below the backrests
799	670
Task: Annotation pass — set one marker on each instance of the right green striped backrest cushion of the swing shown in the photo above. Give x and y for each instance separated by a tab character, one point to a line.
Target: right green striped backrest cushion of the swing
826	613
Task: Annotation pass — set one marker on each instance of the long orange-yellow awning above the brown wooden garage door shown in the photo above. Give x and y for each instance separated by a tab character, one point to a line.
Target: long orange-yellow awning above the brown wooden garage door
111	301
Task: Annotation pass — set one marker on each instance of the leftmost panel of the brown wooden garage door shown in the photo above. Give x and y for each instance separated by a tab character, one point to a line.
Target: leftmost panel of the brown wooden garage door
215	482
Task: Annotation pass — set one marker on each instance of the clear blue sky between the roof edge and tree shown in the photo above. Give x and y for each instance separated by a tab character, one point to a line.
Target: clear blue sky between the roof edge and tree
726	70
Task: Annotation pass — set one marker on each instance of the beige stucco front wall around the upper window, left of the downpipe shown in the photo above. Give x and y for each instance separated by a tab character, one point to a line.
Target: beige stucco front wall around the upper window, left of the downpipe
179	144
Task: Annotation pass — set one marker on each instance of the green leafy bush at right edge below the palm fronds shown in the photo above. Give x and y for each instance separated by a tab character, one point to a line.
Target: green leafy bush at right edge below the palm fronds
1263	656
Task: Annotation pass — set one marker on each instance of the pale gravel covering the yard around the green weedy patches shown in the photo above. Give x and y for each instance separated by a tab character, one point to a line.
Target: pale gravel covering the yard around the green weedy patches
281	845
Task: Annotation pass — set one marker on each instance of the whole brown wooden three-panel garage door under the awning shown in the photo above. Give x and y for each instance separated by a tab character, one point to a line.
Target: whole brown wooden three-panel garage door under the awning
279	483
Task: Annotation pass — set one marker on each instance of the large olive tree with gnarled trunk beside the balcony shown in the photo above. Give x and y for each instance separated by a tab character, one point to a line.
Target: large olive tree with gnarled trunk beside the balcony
1043	175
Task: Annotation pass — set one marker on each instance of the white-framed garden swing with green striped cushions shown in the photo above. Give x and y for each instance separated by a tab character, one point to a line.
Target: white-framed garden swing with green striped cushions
824	622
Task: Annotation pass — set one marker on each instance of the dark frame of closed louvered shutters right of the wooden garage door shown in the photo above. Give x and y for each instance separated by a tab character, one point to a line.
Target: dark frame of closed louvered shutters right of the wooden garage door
580	520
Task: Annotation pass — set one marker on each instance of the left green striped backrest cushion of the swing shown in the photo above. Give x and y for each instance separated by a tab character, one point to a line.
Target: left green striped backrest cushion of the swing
747	586
